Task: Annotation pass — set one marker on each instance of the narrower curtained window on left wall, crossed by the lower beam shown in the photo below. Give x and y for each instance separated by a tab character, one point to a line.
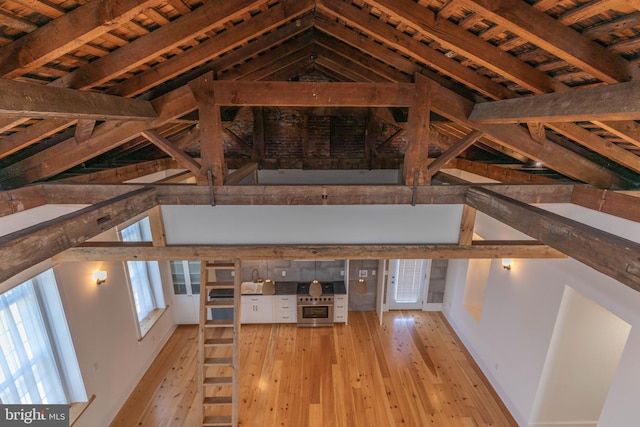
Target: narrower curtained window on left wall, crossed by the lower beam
144	277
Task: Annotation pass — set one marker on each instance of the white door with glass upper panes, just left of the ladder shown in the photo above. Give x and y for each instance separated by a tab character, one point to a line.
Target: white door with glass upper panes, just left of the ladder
186	291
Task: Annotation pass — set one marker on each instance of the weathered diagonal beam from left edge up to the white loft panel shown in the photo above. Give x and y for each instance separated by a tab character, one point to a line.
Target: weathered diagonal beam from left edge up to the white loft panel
25	248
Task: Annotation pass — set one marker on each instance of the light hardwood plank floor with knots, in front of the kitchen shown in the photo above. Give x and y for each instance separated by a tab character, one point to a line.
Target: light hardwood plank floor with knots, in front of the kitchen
411	371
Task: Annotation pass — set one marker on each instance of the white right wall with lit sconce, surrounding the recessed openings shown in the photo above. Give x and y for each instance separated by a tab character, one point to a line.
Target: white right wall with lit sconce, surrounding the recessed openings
511	341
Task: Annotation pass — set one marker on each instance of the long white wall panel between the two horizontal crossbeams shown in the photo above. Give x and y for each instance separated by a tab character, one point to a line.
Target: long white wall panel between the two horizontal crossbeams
312	224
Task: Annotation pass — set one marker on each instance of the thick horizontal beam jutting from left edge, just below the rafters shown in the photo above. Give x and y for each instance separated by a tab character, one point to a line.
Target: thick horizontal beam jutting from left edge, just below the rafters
32	100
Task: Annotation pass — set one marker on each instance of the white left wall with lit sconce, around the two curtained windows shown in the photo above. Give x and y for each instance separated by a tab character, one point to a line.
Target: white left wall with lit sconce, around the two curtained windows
101	320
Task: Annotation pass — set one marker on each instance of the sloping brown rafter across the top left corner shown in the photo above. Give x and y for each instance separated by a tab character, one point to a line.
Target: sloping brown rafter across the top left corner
67	33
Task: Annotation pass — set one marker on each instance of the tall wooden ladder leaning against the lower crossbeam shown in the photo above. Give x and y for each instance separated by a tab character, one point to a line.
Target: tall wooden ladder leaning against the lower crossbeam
219	334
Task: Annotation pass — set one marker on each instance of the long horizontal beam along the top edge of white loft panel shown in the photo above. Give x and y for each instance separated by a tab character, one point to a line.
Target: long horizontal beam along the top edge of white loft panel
306	194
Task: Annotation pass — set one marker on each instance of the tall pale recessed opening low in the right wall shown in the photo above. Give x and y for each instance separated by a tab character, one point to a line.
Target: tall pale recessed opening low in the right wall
586	346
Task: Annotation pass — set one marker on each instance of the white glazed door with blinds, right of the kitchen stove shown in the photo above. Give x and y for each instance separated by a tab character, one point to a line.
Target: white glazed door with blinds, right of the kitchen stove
406	286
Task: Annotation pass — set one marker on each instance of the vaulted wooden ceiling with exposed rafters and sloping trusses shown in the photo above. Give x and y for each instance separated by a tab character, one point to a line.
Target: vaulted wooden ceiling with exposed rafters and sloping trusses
94	90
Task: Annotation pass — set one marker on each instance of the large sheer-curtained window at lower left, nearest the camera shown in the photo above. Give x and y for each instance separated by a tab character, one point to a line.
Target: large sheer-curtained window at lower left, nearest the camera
38	363
